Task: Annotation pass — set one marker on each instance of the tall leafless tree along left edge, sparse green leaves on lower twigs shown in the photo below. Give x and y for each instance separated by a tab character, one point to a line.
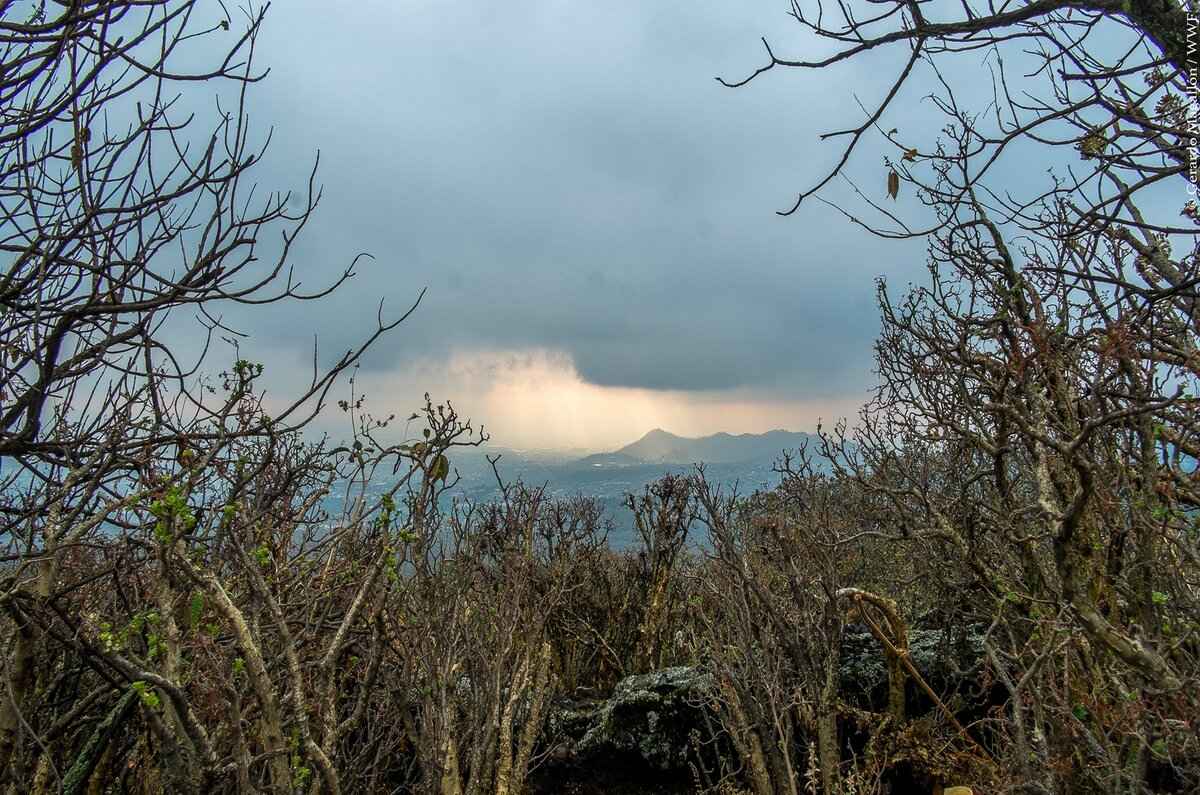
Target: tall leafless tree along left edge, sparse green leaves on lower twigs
141	493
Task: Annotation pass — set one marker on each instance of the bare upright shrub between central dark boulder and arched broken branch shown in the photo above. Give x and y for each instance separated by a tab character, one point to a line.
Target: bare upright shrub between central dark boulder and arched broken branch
775	621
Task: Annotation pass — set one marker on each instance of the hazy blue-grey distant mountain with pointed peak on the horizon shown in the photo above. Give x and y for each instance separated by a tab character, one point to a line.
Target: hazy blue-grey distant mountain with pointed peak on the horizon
661	447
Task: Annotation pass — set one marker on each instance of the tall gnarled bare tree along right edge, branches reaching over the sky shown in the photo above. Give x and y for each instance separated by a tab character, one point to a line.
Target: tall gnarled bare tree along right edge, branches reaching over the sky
1037	419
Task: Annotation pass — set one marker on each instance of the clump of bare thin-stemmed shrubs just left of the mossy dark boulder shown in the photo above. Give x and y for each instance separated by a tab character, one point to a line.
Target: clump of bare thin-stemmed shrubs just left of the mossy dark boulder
475	635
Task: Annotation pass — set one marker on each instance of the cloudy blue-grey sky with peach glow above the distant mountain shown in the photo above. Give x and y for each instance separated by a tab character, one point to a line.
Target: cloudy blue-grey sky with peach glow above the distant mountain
591	214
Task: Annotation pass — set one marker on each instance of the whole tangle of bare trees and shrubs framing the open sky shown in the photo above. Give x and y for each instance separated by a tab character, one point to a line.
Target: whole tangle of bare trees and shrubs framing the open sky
179	614
